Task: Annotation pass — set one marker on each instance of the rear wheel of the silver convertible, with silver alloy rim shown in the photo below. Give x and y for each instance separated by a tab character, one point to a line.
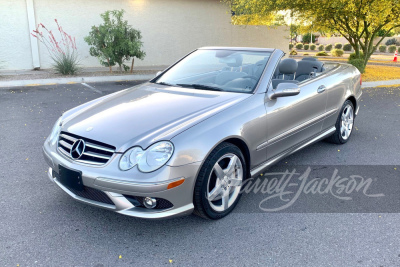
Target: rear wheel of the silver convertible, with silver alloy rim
344	124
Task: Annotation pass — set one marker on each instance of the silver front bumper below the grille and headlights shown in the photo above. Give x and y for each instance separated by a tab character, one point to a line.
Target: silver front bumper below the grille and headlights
119	188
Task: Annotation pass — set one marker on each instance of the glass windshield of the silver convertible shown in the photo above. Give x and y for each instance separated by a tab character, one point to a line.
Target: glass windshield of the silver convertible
218	70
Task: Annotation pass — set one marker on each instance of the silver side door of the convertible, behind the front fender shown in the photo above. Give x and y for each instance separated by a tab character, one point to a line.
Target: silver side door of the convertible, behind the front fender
294	119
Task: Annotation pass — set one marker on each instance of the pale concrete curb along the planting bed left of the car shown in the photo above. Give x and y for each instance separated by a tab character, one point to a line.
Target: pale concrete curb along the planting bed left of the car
38	82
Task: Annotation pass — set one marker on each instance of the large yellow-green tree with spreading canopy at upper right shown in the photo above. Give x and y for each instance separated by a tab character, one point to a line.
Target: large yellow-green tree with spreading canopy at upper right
359	21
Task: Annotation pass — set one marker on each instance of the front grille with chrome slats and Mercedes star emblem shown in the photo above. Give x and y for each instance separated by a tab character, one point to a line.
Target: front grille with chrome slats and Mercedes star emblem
95	153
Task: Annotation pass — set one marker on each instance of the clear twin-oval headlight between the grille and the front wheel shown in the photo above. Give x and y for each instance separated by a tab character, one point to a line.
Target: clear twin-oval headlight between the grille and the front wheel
147	160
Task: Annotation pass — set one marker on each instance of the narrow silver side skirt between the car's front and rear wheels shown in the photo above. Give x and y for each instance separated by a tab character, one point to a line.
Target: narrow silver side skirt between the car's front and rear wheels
290	151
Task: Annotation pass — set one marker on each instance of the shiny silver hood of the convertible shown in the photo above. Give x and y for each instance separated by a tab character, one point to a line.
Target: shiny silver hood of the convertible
146	114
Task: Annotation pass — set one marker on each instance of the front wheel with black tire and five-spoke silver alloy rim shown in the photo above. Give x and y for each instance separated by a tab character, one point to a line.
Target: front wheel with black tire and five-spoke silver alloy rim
218	185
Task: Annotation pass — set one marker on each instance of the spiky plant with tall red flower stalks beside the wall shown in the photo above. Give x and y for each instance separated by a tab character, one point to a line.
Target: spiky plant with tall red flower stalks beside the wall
62	51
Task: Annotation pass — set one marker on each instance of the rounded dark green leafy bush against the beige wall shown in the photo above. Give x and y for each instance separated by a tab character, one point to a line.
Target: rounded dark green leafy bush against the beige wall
114	41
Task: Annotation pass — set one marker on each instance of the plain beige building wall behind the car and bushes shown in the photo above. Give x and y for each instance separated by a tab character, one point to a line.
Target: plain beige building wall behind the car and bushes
170	28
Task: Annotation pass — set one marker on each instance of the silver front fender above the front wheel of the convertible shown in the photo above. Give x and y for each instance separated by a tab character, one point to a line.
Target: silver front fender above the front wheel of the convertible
245	121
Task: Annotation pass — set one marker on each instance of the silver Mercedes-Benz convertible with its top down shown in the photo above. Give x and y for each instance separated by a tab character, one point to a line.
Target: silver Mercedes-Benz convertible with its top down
185	141
